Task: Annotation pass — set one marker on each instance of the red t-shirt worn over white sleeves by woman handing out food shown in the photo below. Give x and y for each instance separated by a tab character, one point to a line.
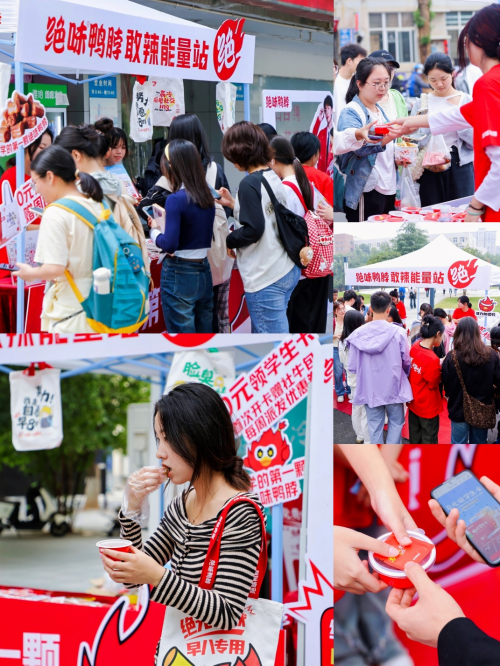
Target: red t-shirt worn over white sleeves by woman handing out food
482	114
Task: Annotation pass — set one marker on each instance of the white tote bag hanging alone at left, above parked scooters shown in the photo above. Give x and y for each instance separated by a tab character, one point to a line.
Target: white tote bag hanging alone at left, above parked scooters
35	407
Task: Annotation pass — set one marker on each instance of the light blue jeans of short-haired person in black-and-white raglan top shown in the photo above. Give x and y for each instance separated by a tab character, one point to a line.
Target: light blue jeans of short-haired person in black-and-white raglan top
267	307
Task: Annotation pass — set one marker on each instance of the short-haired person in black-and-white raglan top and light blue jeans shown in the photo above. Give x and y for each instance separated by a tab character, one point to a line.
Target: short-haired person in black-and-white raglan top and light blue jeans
269	275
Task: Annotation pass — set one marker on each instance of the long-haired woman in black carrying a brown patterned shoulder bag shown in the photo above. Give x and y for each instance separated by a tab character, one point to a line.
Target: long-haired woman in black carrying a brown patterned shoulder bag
480	369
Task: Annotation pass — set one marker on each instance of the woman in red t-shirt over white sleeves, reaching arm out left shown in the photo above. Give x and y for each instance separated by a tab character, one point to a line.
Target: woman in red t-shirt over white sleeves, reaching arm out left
479	43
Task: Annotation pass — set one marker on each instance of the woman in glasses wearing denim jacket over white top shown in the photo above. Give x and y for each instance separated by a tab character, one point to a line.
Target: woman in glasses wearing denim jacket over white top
370	169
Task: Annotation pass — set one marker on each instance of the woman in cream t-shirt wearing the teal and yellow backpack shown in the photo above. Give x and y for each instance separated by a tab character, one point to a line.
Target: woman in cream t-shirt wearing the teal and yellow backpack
65	242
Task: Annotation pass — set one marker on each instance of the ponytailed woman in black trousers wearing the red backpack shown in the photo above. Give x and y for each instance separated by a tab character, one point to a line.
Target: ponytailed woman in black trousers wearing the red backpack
307	309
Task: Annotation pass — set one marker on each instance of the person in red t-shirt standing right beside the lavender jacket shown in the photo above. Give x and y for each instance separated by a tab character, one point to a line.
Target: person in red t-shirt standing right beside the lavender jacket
425	377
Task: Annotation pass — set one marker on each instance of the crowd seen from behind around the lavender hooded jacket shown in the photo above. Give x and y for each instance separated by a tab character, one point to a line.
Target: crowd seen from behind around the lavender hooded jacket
391	367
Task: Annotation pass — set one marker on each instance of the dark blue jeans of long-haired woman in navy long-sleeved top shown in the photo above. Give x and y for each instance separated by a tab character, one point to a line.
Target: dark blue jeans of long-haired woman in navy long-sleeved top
186	295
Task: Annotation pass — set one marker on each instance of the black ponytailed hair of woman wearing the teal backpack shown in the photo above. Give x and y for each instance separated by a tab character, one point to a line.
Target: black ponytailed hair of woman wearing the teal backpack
60	162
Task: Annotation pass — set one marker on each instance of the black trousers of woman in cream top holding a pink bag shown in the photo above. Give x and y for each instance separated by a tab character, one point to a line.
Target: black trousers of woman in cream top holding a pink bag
454	183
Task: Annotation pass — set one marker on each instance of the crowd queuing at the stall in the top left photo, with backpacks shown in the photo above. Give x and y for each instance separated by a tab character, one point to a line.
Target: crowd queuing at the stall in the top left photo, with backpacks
203	223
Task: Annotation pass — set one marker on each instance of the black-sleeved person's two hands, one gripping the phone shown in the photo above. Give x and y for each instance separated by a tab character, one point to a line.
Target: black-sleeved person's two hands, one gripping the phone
436	619
